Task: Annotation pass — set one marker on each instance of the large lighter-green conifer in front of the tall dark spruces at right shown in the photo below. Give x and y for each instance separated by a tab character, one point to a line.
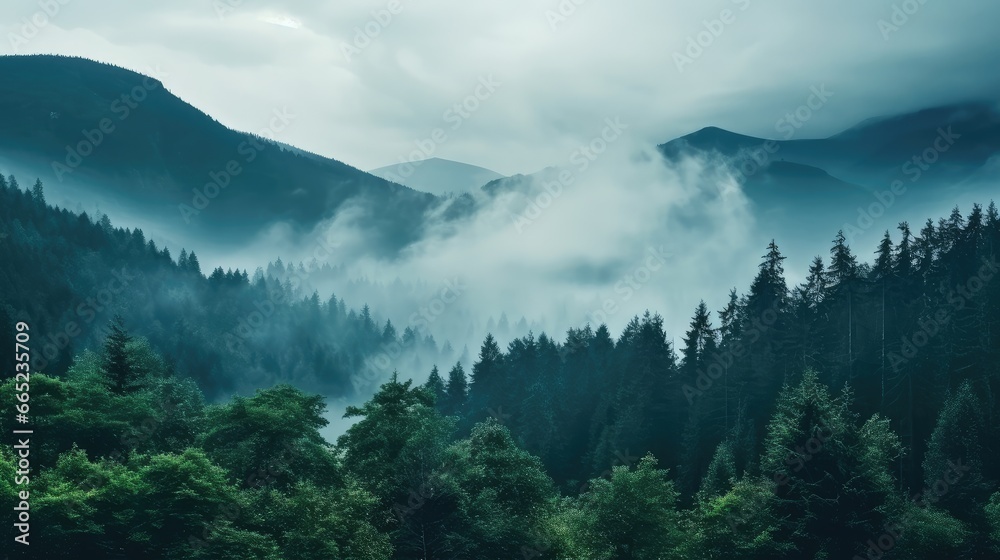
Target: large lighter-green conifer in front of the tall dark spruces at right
833	486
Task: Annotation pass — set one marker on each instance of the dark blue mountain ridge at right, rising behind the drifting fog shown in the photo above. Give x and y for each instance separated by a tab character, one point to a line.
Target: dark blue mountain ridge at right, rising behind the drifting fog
860	180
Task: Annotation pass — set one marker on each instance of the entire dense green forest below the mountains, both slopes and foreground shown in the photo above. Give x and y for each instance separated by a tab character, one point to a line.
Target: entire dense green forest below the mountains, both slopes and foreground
852	416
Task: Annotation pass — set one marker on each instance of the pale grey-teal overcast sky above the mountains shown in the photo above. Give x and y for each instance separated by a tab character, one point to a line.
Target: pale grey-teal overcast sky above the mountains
366	100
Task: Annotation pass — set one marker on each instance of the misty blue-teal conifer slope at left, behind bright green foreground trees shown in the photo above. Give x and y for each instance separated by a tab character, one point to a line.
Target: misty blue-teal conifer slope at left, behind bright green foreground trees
68	274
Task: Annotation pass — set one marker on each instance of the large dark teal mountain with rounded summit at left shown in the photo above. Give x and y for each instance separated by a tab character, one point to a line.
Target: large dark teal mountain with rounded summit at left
97	132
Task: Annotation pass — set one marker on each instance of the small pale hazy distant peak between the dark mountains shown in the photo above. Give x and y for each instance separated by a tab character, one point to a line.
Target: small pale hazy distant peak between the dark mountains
437	176
